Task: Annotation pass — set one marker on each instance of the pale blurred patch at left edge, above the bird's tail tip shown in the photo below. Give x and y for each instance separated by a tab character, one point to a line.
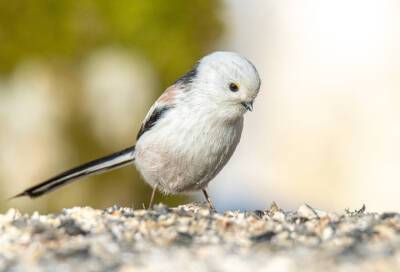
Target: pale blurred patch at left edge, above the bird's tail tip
30	119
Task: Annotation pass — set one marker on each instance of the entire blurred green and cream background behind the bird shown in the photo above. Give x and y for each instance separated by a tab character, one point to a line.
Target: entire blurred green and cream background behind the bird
77	78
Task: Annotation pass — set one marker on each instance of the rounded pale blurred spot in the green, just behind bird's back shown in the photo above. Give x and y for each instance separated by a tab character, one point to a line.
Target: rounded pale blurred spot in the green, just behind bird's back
118	86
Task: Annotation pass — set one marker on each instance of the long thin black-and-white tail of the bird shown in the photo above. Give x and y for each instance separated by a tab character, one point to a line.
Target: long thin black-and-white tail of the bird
98	166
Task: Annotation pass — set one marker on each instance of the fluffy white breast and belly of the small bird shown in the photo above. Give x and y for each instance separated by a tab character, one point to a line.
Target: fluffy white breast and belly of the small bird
184	151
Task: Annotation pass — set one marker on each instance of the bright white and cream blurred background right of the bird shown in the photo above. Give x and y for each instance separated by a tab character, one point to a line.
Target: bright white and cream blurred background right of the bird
326	125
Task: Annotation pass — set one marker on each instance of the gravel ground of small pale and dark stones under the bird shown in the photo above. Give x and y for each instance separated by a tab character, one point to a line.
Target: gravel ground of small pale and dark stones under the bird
191	238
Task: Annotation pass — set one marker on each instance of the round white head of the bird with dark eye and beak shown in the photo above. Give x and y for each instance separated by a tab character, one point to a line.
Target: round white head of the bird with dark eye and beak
228	81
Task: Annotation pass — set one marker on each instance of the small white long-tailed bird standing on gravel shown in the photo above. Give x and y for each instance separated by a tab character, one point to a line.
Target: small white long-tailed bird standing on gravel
188	135
